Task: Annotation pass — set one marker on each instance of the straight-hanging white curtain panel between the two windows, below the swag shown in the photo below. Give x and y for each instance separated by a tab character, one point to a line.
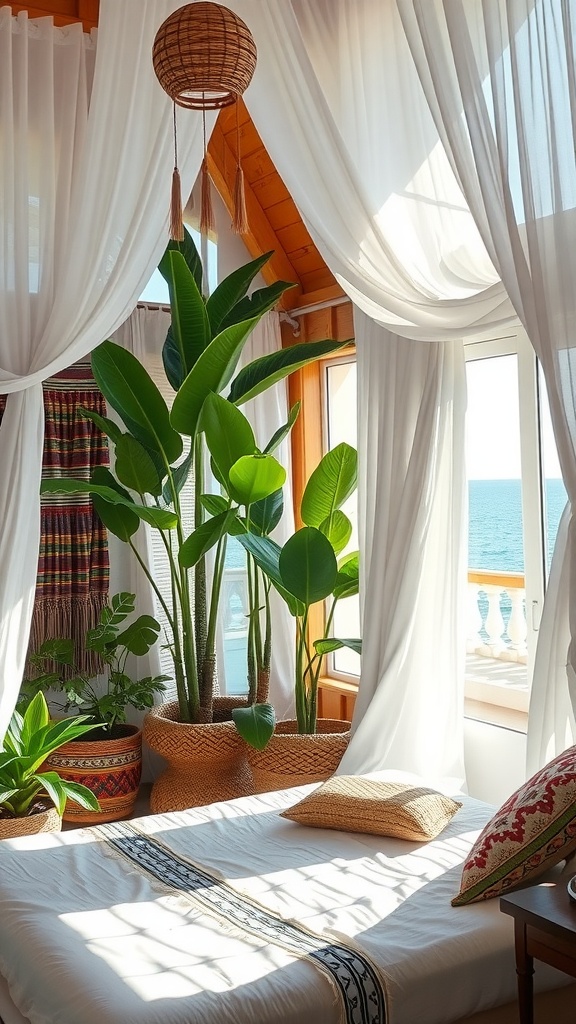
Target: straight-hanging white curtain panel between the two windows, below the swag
408	713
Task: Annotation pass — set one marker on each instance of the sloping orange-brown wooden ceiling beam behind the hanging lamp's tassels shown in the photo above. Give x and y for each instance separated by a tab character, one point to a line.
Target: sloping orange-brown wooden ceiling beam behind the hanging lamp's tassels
260	238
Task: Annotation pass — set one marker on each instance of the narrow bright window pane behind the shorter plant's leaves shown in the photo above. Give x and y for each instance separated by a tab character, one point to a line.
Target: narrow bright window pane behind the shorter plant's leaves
342	426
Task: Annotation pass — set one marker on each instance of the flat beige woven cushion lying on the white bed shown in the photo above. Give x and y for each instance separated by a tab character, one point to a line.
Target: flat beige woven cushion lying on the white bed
354	803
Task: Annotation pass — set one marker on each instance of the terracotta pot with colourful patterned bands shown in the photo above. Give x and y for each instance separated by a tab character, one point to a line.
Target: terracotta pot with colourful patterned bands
111	769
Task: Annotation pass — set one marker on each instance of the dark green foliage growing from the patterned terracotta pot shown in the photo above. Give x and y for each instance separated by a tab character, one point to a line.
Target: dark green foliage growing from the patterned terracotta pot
113	645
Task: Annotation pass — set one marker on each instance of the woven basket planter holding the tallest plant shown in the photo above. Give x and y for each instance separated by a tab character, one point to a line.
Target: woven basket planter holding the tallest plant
205	762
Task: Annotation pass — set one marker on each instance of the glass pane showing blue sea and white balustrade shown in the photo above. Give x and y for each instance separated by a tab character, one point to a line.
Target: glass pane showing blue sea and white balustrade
497	626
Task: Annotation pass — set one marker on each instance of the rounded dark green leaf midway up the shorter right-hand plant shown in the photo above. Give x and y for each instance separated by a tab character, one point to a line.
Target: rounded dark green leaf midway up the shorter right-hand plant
308	566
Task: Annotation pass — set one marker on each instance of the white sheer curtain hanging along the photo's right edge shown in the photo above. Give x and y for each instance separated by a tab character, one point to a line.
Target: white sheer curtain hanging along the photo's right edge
501	82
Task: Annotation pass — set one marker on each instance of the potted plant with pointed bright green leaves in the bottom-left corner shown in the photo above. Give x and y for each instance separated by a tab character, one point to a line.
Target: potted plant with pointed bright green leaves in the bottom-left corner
32	799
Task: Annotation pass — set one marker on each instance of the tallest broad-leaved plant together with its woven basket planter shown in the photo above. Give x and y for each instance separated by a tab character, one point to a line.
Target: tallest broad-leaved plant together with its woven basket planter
154	456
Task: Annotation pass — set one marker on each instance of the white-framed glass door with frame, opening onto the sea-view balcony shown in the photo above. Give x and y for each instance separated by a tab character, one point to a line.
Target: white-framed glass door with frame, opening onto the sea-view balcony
516	498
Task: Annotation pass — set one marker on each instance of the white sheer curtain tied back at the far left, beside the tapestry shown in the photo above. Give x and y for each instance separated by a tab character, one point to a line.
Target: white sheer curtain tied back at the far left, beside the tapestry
85	192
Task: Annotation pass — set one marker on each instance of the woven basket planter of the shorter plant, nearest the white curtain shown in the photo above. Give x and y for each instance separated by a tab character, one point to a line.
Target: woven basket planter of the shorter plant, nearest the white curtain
295	759
